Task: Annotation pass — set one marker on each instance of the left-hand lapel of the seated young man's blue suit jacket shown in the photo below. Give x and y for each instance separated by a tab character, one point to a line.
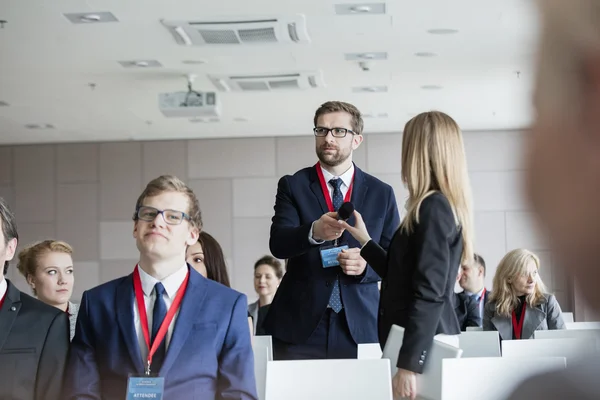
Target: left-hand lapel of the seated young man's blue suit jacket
125	318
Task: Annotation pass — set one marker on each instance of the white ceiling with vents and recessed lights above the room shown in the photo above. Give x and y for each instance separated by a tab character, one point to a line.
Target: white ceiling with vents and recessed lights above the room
68	75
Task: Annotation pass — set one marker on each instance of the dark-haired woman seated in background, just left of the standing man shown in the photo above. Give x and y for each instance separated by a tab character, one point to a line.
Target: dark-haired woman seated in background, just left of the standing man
267	277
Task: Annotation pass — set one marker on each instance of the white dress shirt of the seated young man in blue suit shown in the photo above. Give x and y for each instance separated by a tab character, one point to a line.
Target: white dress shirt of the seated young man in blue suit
171	284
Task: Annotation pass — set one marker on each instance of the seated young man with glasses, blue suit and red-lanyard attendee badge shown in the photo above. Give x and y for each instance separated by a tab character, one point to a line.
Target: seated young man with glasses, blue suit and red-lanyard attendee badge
163	330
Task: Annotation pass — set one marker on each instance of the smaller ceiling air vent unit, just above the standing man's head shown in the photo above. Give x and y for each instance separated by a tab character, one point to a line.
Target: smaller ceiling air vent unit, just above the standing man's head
268	82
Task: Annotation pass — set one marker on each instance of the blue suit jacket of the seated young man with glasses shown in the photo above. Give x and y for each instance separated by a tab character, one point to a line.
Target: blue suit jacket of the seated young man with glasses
209	355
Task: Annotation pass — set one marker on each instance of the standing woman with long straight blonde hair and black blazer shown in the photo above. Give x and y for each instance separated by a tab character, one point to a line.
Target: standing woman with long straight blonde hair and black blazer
419	270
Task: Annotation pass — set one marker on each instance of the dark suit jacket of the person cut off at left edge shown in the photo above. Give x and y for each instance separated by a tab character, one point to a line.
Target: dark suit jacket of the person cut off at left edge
34	345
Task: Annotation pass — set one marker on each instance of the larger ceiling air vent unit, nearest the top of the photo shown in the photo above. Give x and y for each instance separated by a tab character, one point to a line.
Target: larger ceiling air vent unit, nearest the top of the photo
239	31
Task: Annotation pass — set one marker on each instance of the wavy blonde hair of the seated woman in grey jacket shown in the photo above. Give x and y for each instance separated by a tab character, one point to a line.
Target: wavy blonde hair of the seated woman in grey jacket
513	265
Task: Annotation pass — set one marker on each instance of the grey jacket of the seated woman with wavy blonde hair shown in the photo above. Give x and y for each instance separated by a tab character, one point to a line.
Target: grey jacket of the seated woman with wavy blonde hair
547	315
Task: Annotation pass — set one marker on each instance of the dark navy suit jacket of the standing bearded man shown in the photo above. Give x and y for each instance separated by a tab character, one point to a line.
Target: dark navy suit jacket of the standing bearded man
304	292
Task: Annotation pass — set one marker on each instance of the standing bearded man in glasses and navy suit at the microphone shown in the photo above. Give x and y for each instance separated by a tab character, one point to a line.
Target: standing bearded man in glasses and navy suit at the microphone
322	312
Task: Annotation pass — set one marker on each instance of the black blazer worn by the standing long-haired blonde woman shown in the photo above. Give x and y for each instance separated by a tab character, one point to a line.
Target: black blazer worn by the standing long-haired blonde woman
419	274
